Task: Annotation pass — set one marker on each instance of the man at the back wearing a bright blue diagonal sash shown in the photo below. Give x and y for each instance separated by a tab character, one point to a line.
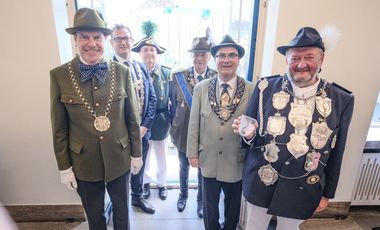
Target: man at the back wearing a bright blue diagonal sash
181	93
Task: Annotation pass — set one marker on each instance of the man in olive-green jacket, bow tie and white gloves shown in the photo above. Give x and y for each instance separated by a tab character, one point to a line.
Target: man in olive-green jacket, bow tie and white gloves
95	123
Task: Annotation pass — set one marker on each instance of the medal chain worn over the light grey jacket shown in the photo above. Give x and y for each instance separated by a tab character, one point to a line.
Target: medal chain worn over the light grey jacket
224	113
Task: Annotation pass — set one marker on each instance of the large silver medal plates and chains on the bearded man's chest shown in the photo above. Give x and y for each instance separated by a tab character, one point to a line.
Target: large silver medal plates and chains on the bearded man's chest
300	117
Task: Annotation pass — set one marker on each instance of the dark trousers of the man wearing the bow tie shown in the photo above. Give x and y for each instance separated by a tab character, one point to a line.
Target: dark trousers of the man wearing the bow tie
92	196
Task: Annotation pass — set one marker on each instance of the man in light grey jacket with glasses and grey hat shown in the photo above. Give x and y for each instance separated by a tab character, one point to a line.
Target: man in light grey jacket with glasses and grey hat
211	143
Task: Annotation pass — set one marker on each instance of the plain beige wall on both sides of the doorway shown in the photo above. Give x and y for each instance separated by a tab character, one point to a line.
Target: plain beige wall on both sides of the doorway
28	172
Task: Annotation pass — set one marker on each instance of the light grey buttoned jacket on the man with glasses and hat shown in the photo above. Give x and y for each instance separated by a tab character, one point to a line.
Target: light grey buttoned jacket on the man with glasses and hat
213	140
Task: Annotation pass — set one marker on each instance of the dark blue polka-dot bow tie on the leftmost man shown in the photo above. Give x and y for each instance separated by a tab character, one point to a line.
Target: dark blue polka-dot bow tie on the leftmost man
98	70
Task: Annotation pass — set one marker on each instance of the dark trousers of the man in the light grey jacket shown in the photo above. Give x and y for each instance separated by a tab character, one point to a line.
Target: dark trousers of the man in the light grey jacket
211	196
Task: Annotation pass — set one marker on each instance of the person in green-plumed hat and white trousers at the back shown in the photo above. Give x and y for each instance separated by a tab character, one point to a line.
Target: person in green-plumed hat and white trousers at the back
161	76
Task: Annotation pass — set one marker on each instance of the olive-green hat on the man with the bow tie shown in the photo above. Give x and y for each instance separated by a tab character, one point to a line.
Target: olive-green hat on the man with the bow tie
89	20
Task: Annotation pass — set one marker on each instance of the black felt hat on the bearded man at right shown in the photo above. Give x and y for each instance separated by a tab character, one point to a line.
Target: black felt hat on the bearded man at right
306	37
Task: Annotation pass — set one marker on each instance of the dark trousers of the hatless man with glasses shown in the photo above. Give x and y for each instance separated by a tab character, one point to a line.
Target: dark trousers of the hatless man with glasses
137	180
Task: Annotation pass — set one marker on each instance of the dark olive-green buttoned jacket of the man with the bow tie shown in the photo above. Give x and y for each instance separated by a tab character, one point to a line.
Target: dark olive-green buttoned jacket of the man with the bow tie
94	155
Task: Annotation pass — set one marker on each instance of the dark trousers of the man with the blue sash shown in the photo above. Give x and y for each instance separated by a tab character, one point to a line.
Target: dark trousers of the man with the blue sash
184	176
